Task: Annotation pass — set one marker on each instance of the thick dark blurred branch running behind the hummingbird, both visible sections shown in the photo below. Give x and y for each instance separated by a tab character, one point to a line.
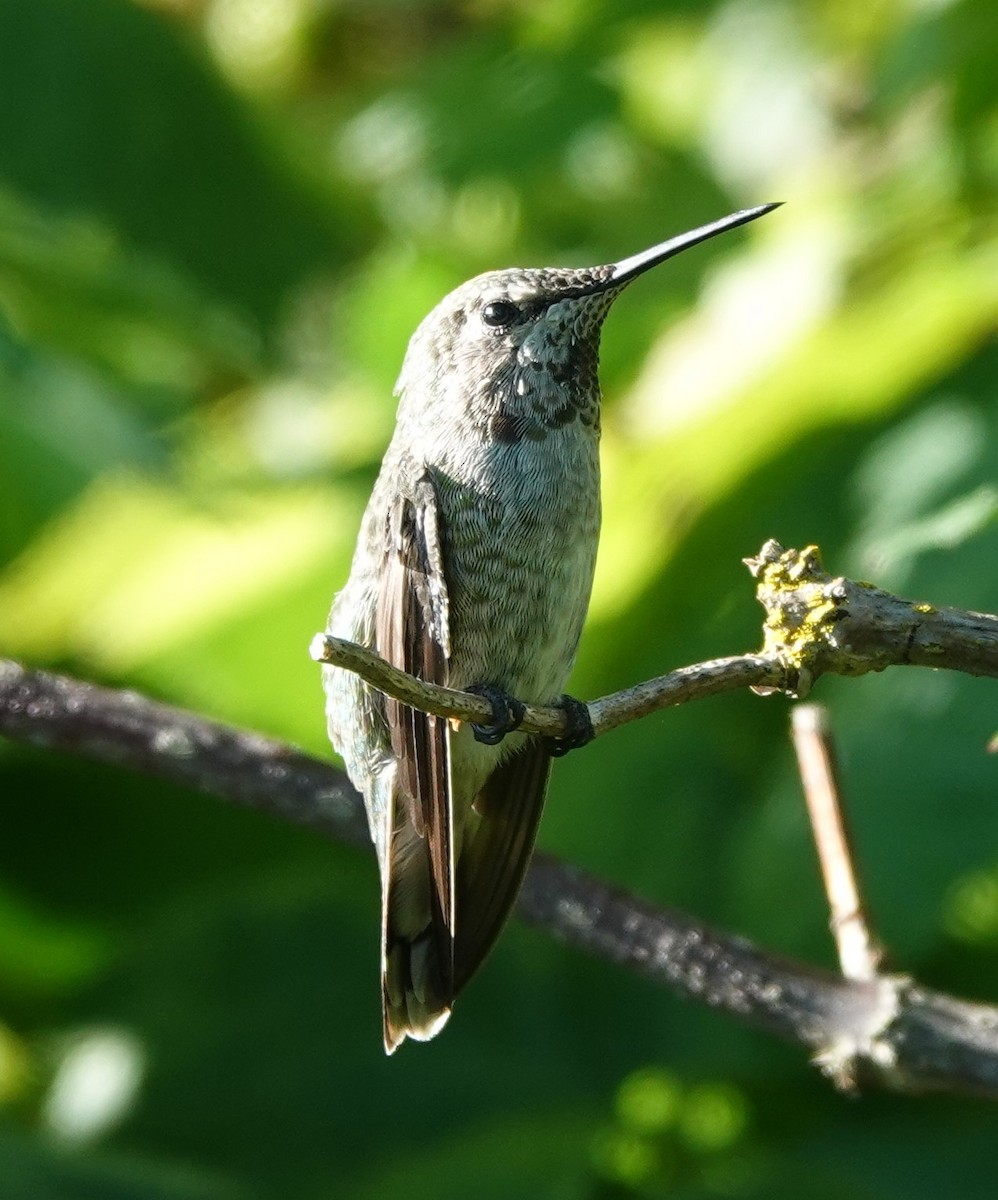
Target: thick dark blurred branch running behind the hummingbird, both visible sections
900	1035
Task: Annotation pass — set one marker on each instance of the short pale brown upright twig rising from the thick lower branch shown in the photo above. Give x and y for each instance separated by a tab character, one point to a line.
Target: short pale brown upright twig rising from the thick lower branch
859	956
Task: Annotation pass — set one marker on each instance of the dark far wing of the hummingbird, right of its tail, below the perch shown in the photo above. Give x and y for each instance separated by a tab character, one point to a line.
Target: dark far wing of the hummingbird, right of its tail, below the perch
496	849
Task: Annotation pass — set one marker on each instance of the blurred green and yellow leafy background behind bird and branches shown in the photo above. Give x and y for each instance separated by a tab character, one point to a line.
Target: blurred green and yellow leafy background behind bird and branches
220	221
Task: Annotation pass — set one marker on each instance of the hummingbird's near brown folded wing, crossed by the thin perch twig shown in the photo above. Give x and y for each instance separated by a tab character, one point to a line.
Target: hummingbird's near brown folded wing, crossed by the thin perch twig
412	634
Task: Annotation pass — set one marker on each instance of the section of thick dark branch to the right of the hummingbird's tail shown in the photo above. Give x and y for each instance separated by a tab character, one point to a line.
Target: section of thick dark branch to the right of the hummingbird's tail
887	1031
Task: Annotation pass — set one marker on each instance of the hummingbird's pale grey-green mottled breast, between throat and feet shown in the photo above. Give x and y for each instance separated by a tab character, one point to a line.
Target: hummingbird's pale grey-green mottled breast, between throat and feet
521	527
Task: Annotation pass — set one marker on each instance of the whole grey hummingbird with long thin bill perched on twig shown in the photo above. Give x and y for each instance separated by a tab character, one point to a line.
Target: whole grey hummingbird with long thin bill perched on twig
473	569
